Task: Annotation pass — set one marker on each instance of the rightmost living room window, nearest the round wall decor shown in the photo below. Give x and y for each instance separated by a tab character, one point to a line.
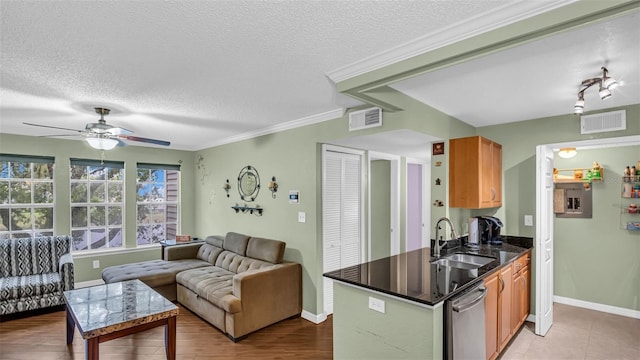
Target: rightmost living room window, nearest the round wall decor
157	198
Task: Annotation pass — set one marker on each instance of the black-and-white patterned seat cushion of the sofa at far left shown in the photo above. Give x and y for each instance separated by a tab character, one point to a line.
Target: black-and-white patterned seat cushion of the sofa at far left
16	287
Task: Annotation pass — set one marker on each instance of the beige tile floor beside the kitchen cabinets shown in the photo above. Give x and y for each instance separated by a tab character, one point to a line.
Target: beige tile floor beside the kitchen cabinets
578	333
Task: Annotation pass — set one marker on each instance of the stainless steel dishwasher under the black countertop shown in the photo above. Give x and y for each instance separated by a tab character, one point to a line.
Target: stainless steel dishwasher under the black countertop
465	336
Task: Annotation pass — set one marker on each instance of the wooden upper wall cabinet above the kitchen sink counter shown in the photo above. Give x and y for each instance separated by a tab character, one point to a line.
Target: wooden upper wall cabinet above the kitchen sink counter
475	173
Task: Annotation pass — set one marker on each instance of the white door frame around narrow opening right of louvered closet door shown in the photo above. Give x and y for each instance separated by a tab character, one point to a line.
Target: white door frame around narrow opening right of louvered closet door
394	192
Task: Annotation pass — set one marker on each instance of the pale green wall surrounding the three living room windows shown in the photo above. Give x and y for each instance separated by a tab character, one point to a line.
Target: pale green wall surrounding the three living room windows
63	150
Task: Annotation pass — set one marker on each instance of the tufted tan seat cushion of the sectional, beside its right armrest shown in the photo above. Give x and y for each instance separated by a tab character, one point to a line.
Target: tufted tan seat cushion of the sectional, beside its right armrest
213	284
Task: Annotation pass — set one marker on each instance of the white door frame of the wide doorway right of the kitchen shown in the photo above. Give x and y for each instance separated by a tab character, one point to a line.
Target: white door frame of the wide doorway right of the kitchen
581	144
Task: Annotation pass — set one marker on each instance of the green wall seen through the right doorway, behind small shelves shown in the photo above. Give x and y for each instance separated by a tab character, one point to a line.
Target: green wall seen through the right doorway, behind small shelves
596	260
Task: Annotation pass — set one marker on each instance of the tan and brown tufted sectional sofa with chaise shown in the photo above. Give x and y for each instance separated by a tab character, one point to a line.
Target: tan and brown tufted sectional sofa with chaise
237	283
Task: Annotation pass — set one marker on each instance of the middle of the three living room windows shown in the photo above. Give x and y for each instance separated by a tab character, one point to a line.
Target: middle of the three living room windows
97	203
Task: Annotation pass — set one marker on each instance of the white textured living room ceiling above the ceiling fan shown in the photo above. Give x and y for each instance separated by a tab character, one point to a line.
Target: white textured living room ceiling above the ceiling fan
201	73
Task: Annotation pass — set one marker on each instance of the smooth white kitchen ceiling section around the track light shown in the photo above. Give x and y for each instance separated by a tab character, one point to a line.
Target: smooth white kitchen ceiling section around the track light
538	79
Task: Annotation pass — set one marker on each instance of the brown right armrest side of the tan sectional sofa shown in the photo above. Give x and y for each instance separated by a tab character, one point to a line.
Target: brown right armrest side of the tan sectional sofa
274	291
